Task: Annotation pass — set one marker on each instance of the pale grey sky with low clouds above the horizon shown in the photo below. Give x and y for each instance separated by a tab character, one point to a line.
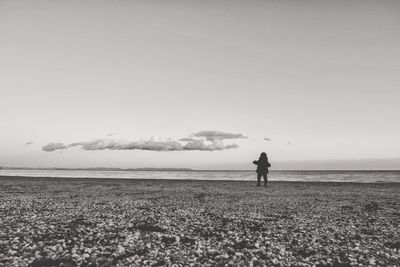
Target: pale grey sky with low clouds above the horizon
212	84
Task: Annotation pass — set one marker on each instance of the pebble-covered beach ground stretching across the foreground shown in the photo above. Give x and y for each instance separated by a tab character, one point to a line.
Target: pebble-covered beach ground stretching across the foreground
107	222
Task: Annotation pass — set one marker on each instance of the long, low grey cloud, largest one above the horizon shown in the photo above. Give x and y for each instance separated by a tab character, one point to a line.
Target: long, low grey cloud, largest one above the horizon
201	141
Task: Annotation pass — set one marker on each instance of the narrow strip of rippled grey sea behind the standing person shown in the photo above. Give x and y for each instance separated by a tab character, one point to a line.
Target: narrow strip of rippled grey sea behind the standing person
302	176
